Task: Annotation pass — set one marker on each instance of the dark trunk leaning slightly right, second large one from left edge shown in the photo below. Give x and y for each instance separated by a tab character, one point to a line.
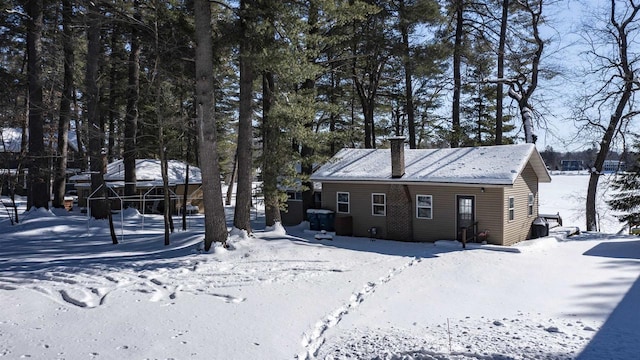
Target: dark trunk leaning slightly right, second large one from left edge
64	121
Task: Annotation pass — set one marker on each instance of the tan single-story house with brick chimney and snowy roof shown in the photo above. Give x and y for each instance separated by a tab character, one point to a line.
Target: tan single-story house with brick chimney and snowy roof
490	193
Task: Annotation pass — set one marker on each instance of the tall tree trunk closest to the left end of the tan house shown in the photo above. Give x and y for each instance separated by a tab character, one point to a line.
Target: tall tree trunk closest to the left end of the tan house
270	138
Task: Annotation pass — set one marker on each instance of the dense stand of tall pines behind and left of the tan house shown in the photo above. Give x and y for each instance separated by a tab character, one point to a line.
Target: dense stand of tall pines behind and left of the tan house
291	82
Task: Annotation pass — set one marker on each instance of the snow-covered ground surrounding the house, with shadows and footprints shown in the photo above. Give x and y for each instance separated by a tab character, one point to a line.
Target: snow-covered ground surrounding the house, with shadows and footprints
67	293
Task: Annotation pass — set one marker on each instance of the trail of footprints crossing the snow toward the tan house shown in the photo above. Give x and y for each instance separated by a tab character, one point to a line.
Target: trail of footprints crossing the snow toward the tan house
312	340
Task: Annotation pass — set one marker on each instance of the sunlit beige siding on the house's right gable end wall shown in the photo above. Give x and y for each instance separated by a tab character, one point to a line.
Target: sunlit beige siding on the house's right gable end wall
519	228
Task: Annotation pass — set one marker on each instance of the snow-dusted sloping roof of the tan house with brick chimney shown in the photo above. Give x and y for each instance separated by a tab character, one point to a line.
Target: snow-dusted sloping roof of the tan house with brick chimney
486	165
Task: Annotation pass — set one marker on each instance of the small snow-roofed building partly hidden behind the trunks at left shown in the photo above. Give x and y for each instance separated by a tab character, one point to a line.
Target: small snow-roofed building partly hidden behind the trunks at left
149	185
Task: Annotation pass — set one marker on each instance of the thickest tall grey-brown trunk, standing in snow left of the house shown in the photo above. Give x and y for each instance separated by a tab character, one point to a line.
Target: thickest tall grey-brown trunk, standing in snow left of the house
215	219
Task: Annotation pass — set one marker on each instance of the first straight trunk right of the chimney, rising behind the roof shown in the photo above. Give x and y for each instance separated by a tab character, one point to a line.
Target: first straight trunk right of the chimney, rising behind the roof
457	76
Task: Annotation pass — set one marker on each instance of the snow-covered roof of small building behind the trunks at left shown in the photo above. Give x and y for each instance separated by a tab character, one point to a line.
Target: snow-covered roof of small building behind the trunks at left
149	171
